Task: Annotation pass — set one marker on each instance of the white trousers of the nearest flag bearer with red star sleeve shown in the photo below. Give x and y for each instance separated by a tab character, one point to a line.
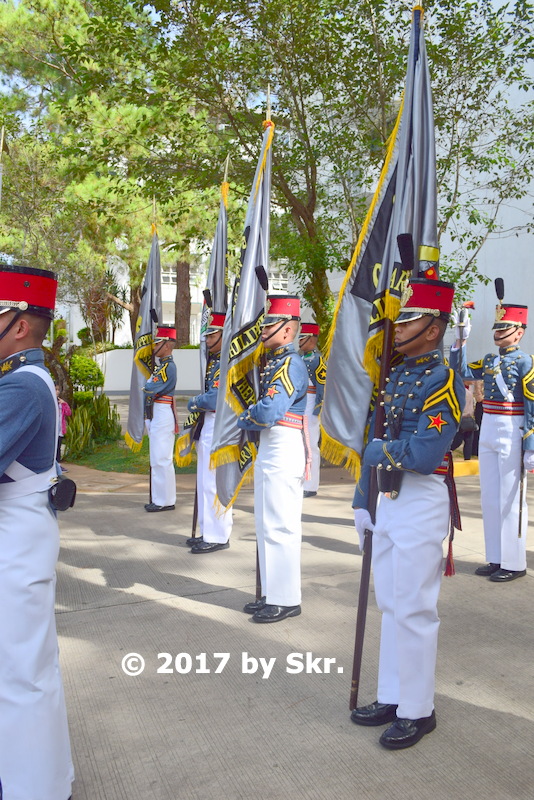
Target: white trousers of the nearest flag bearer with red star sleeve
407	567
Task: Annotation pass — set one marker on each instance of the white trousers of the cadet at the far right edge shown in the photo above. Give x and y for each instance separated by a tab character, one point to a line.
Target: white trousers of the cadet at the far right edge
499	456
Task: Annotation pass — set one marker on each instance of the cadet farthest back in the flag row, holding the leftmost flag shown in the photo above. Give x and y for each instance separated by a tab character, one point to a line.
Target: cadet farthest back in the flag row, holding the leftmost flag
161	422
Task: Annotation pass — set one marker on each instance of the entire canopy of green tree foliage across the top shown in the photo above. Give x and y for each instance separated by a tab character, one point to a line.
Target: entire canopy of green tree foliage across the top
130	101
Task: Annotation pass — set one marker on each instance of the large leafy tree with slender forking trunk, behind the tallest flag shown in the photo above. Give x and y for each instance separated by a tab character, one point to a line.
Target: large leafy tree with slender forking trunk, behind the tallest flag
158	94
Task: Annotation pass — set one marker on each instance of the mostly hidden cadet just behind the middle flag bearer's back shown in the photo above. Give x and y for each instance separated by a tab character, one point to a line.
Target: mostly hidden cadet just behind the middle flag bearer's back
309	333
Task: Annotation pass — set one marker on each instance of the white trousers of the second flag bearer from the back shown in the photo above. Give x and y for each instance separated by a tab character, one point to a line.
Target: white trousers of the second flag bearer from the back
213	528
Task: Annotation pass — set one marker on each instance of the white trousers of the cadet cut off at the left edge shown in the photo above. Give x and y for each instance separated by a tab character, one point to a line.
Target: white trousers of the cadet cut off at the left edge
35	757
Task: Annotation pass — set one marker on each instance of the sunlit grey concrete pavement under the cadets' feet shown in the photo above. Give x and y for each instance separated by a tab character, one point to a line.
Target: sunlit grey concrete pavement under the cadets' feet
192	727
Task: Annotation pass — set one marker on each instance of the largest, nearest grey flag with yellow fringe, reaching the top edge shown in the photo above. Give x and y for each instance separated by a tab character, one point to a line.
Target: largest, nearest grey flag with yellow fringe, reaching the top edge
405	202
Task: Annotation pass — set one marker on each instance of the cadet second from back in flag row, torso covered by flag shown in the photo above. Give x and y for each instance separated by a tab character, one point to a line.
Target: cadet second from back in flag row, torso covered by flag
214	530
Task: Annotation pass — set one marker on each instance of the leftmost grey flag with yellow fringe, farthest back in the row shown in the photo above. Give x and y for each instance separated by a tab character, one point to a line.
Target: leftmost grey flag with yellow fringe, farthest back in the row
145	331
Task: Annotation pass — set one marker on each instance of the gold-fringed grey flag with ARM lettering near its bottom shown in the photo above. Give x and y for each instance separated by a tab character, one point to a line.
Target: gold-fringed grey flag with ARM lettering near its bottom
234	450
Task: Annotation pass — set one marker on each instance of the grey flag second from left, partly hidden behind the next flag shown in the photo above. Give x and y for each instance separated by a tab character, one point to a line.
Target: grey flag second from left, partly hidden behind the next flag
216	299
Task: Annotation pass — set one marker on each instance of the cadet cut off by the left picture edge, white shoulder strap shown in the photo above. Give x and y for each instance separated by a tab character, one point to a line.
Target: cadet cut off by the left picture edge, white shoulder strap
35	757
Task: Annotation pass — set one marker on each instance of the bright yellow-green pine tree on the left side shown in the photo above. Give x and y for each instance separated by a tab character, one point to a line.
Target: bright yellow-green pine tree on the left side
106	200
